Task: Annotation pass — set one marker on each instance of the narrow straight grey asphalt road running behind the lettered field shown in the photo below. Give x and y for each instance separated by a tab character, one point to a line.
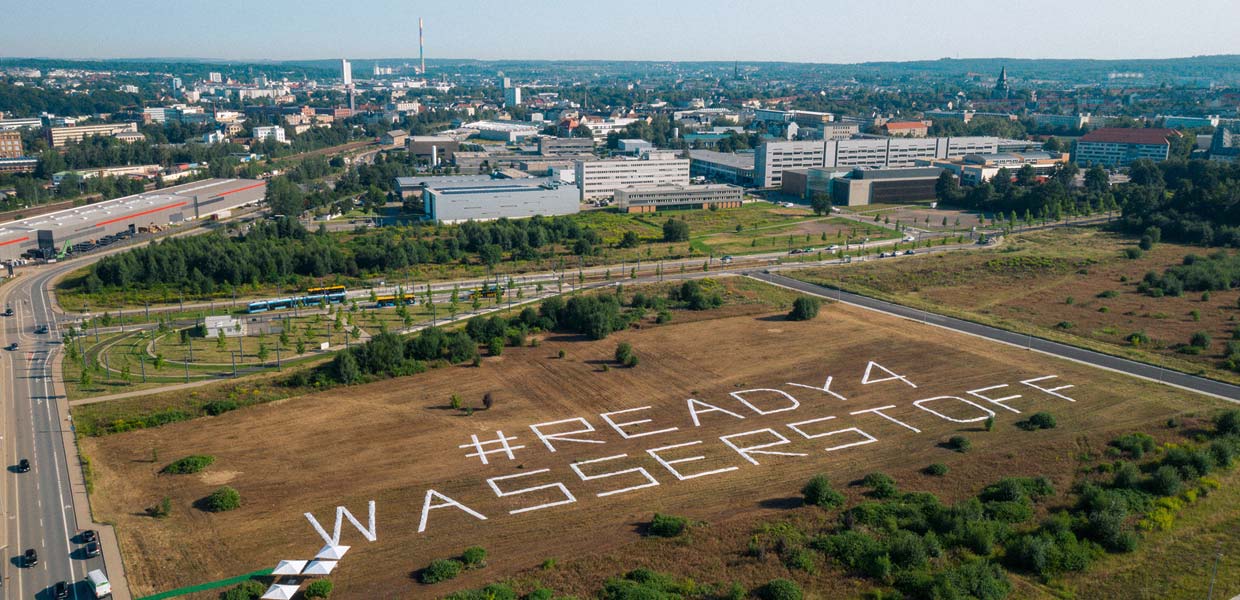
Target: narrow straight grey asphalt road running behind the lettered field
1176	379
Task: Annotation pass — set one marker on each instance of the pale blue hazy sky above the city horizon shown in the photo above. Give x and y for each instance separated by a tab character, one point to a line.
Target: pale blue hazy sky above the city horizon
725	30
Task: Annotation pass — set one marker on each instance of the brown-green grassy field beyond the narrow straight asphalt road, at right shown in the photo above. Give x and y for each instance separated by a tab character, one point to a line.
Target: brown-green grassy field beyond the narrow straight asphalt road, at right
1052	283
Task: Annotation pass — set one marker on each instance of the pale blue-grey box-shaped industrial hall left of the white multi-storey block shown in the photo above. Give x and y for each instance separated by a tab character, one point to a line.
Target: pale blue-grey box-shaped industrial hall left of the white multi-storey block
482	199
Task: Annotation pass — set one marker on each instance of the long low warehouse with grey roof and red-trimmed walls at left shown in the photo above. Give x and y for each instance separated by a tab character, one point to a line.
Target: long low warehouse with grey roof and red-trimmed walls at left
132	214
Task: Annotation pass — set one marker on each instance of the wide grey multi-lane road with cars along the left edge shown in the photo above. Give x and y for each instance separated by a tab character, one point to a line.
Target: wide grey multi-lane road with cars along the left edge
39	506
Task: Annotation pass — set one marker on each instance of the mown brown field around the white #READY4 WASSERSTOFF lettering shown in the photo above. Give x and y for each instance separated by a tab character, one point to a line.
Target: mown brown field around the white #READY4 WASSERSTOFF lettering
391	442
